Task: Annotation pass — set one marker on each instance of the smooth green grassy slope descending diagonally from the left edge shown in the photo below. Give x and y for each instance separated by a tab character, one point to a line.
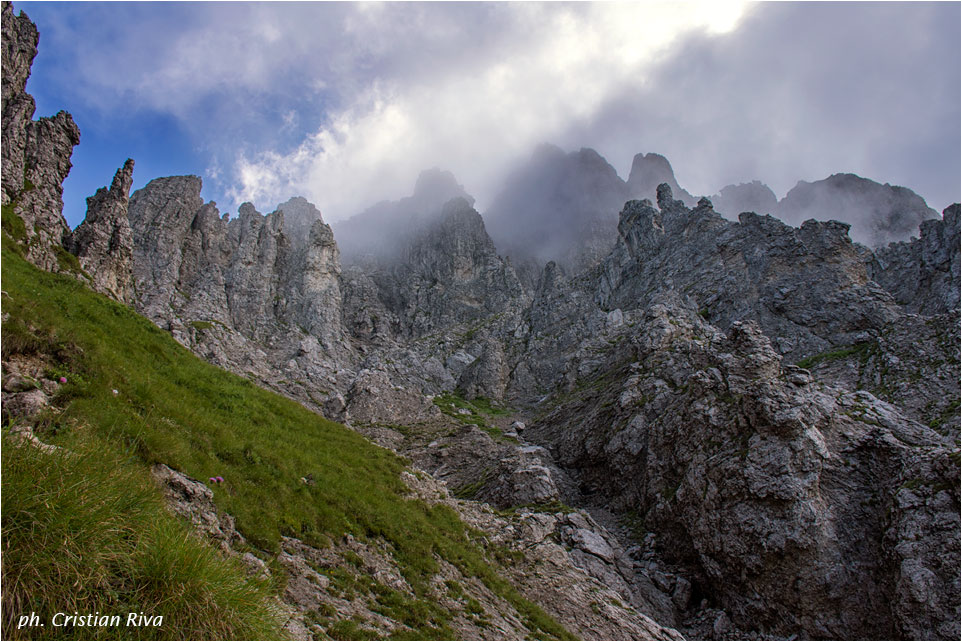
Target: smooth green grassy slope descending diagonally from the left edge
171	407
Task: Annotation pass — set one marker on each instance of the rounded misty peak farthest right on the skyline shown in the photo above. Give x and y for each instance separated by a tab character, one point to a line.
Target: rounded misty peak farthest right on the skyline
878	214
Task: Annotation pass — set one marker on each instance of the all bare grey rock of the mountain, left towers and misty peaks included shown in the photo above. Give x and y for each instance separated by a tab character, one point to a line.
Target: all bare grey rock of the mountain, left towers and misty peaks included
757	424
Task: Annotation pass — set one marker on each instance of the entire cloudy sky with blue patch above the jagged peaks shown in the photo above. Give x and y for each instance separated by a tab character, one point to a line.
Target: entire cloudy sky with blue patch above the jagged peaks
345	103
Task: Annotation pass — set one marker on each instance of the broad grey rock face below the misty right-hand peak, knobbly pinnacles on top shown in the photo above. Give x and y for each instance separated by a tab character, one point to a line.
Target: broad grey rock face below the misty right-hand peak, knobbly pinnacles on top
807	287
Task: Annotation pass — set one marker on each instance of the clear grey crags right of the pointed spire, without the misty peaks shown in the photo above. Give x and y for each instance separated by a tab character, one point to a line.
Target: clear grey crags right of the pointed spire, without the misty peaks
784	472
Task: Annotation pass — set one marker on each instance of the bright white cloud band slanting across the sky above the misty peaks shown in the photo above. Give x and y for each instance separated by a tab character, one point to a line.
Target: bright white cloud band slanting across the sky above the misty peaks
472	116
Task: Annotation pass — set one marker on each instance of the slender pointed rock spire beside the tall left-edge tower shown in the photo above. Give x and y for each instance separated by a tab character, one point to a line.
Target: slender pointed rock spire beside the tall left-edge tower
103	241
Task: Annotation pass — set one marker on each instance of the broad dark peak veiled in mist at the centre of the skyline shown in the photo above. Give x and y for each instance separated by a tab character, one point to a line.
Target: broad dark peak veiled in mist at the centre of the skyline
560	207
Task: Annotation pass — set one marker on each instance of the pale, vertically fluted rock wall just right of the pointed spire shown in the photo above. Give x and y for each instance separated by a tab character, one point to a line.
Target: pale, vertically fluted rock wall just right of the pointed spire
240	292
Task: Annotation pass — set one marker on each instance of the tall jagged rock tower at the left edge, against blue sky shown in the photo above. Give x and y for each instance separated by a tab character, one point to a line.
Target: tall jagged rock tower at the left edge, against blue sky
36	154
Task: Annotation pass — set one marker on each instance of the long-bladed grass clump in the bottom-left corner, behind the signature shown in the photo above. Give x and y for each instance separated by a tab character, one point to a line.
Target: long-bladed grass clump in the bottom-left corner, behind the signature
85	531
